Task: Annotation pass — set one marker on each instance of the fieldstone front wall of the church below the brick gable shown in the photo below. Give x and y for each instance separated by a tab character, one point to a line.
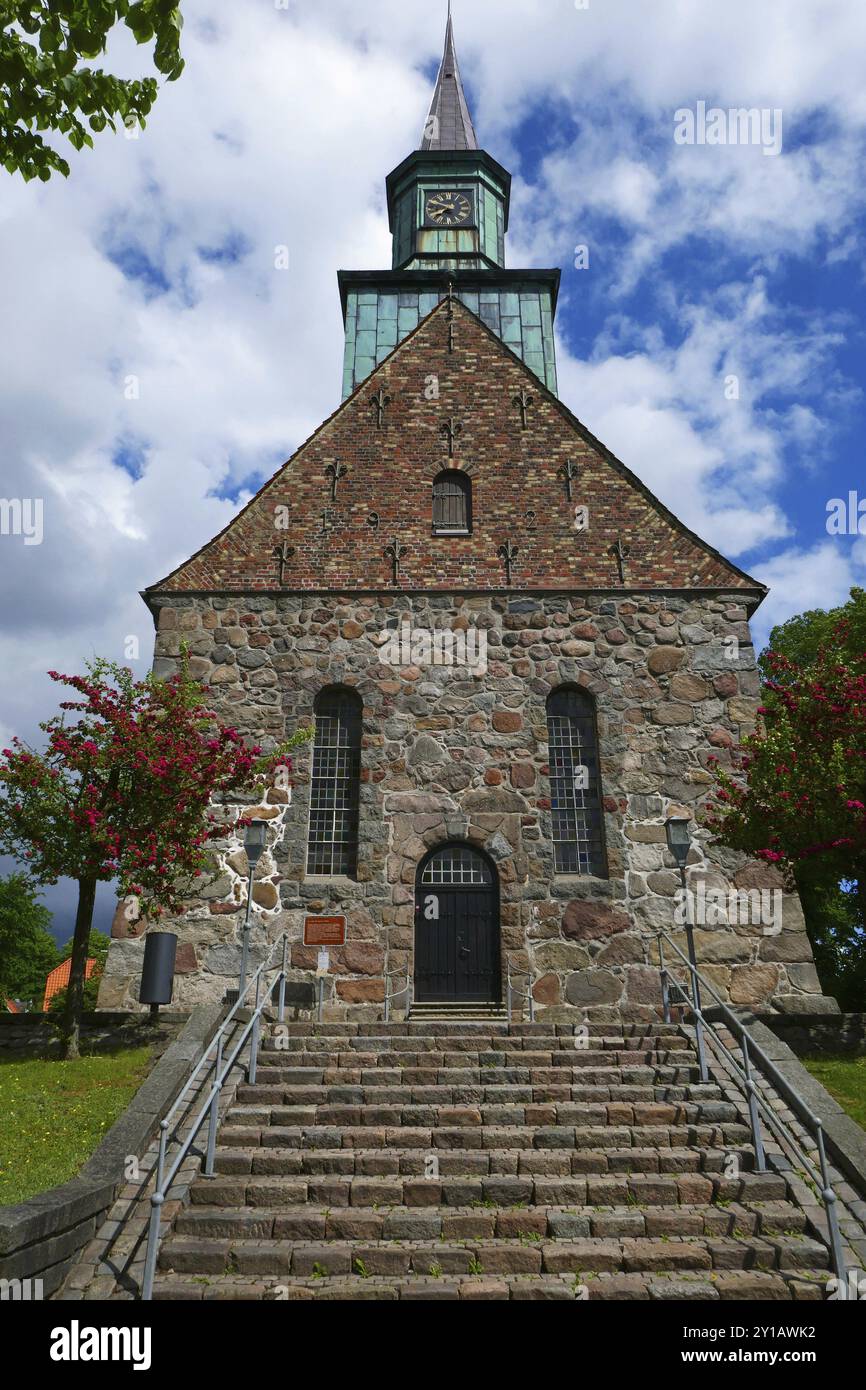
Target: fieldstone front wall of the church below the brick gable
459	753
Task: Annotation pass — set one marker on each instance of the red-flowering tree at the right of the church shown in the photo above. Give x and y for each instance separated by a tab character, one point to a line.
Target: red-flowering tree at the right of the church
797	794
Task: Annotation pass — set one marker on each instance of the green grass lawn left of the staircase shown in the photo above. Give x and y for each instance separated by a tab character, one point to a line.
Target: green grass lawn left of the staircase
55	1114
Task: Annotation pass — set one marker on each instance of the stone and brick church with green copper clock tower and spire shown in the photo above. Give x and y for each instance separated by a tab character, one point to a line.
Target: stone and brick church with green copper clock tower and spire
519	664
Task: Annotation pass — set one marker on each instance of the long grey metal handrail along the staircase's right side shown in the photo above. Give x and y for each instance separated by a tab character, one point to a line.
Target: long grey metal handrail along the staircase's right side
757	1103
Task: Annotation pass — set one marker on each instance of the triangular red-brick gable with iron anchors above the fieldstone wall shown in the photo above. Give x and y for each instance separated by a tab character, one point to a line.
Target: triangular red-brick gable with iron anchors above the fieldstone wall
519	491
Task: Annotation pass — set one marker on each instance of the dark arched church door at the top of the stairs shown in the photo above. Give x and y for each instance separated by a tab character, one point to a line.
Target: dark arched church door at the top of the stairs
458	928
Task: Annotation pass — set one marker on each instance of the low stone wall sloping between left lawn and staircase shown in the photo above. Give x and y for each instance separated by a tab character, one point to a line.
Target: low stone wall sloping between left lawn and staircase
41	1239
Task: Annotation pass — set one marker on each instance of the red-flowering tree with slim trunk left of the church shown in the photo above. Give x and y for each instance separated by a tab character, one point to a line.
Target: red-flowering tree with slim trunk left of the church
124	792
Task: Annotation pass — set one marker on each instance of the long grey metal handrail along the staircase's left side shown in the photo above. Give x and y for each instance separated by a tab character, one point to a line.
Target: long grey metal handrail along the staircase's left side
211	1109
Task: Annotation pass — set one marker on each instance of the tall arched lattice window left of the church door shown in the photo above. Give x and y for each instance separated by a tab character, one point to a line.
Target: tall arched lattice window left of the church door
336	783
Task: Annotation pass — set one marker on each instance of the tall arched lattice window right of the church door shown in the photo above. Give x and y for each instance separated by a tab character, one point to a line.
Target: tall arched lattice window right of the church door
576	785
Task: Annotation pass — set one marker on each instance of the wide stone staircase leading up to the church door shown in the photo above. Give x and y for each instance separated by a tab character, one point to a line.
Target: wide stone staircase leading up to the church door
457	1160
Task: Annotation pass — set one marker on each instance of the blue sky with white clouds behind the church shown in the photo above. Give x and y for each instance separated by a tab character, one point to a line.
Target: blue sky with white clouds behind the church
163	366
